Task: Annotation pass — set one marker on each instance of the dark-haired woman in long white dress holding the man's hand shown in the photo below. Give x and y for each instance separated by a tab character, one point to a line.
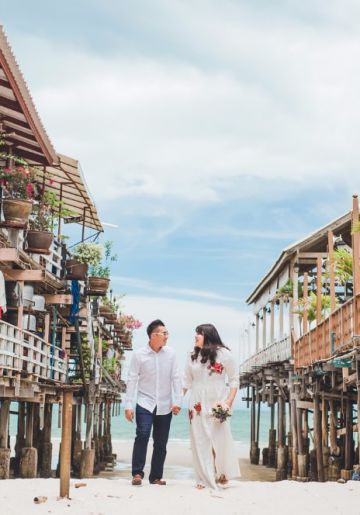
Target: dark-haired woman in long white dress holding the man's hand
214	456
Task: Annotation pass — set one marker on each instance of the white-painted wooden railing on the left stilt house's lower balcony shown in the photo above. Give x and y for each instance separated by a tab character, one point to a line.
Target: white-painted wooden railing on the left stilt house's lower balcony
22	352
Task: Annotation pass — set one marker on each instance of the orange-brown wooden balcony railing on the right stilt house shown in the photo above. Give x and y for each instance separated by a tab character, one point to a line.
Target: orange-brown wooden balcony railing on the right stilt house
335	333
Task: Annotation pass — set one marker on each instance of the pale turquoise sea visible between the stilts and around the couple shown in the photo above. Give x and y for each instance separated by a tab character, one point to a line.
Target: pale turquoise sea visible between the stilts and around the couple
124	430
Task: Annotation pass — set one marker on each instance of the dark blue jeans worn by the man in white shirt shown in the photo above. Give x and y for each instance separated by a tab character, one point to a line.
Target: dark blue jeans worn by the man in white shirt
160	424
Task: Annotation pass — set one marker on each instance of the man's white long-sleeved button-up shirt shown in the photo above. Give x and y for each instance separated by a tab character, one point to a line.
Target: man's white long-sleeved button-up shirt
156	377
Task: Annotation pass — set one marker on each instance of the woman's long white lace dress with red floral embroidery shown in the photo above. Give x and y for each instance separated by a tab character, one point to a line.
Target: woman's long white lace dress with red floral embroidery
212	444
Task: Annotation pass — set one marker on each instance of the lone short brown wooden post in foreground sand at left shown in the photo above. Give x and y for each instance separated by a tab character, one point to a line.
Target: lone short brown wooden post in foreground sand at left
65	451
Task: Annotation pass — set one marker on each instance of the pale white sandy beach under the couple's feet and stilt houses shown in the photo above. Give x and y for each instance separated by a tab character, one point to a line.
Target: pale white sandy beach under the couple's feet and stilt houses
112	493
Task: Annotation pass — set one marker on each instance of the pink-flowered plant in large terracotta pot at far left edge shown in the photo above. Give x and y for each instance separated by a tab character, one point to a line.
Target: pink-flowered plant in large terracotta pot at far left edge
17	182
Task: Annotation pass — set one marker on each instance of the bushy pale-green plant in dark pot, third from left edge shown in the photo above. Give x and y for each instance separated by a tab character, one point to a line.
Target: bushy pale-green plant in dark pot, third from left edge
83	256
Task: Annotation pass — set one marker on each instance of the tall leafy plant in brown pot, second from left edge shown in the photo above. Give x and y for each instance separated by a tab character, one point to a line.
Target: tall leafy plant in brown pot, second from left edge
42	222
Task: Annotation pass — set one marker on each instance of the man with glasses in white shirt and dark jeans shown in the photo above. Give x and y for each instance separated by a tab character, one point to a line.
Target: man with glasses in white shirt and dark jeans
153	370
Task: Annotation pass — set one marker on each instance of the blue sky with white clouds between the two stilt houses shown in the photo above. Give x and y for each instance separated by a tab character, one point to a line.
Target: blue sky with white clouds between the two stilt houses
212	133
